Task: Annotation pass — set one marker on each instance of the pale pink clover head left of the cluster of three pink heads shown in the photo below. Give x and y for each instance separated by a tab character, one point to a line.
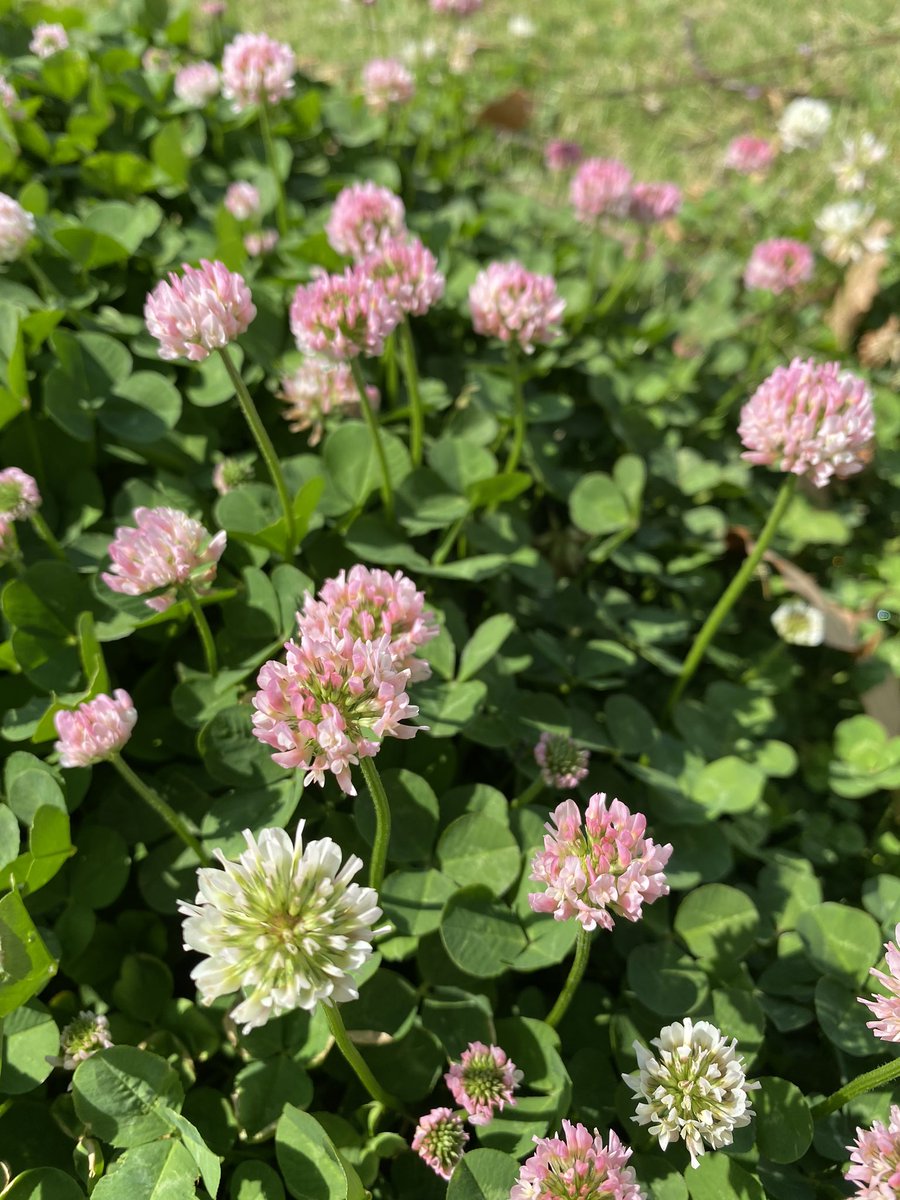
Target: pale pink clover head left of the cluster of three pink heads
202	310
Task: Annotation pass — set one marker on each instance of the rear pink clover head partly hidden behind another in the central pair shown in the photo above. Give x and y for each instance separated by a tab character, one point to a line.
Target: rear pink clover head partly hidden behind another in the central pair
368	603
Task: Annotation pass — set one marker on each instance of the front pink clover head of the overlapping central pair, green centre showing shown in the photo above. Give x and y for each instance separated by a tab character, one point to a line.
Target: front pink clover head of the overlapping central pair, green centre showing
331	704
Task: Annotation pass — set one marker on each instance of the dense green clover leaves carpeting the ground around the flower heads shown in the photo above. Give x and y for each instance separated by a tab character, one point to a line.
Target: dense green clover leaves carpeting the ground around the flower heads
569	577
